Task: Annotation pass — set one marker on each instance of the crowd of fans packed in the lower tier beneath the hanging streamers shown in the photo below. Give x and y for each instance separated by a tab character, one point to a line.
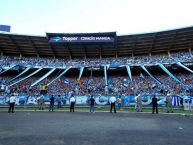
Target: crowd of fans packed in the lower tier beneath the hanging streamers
117	85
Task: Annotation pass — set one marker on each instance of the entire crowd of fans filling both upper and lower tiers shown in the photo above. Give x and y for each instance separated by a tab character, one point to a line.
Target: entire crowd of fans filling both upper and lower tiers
116	84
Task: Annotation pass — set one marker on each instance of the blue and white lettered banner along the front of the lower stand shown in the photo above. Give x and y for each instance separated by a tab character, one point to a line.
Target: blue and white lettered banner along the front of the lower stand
127	100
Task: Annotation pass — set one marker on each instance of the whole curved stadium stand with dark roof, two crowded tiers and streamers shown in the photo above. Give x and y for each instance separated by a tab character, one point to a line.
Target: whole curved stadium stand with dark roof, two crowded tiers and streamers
159	63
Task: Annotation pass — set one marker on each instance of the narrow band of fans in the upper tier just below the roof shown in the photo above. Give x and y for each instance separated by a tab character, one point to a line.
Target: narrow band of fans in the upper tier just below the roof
95	62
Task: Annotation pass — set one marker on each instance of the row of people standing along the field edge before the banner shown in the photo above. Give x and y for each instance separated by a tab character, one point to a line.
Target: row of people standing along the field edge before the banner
113	101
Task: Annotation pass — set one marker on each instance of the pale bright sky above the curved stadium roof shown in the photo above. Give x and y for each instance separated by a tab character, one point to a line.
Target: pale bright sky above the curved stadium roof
37	17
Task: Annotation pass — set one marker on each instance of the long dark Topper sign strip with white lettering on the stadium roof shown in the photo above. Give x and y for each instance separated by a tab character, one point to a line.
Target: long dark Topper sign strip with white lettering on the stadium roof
78	39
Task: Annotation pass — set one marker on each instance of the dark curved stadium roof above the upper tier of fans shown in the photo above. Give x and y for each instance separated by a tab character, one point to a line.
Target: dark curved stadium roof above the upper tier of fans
124	46
